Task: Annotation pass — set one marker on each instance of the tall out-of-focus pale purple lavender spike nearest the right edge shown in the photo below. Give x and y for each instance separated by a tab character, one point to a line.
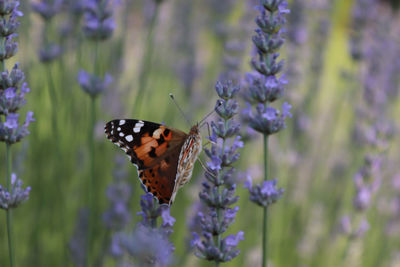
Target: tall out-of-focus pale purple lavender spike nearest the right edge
372	124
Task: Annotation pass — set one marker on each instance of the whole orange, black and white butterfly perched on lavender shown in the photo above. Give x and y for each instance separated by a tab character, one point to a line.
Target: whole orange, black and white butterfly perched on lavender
164	156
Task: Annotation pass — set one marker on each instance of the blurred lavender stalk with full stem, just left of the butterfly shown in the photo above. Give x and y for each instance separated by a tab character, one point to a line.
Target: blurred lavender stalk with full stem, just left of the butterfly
98	26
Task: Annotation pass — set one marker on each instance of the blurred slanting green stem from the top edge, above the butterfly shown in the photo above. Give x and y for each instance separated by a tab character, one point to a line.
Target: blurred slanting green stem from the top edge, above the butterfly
146	62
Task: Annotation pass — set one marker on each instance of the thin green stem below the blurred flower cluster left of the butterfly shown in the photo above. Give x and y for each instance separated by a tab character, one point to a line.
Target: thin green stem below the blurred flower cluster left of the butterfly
92	182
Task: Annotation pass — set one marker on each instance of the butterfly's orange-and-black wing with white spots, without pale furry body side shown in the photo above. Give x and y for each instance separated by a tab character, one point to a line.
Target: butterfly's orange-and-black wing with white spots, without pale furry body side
153	148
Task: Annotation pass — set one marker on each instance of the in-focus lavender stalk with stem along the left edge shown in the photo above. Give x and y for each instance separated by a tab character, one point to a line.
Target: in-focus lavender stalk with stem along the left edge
12	92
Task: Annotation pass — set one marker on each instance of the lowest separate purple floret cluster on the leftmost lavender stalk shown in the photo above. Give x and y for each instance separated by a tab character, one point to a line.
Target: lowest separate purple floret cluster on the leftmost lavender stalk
17	196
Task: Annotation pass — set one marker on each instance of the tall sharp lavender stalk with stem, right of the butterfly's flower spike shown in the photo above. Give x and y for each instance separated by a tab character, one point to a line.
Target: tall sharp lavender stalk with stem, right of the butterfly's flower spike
265	87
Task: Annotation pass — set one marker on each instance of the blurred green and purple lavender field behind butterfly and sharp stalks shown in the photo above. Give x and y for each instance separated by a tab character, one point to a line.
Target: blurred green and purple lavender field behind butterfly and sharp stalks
340	57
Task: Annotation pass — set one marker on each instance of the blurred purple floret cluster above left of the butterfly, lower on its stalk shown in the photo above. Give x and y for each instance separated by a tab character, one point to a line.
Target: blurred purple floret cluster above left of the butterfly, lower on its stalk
92	84
